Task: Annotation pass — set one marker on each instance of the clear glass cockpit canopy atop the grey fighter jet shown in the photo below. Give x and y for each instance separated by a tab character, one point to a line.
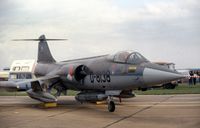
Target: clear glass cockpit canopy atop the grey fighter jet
129	57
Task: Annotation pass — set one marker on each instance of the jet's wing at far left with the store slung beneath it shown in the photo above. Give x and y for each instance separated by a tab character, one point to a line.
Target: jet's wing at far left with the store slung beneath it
35	88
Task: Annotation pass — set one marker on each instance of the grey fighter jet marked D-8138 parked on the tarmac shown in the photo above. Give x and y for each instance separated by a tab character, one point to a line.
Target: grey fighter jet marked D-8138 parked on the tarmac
98	78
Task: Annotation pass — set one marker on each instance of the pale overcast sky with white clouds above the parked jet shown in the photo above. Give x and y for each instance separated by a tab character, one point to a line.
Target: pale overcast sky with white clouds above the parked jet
161	30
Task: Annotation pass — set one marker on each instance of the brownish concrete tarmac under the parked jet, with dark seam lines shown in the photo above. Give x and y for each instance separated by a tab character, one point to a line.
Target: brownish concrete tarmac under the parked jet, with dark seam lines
143	111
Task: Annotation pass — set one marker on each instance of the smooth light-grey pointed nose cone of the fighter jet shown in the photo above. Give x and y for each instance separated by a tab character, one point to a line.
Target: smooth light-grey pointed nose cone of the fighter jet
156	76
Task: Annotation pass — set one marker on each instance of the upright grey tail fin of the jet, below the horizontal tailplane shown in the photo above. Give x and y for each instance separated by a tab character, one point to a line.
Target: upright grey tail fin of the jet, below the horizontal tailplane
44	54
